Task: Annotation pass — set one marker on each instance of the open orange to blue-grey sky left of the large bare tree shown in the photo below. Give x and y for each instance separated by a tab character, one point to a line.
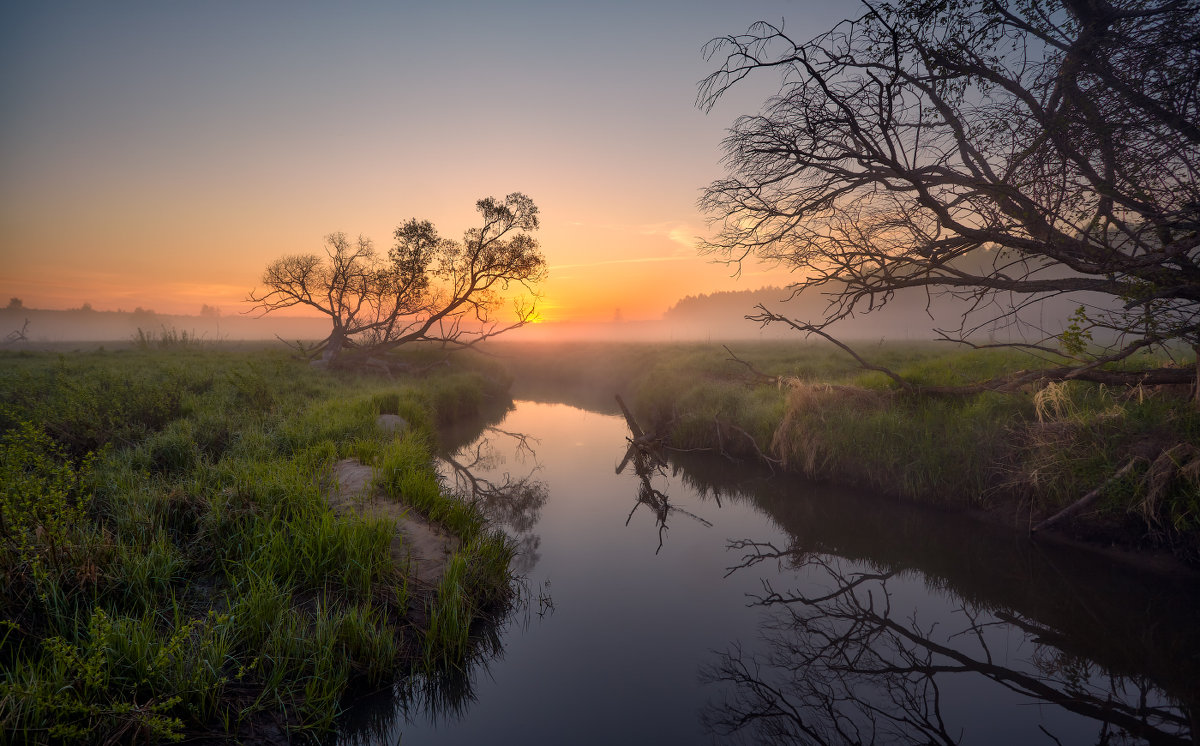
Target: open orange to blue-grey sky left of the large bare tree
161	154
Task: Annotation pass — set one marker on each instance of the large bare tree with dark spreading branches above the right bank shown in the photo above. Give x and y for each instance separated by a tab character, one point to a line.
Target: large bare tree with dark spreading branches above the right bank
997	152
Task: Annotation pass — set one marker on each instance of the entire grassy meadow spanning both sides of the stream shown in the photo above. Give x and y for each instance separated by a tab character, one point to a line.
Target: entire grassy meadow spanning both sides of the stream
171	565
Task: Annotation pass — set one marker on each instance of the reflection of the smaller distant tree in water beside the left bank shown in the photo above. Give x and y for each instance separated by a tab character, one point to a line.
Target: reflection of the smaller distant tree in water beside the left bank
506	501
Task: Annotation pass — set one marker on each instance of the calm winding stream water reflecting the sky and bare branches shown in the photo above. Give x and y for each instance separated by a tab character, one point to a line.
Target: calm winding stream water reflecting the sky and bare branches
775	611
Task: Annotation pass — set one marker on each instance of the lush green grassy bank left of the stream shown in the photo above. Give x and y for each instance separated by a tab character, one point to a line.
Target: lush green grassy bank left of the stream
170	564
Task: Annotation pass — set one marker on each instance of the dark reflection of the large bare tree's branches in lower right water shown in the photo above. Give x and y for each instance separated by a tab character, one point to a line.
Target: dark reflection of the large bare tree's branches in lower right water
850	665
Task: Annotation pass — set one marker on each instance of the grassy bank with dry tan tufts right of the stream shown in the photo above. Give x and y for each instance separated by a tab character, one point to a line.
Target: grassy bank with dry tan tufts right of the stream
1023	455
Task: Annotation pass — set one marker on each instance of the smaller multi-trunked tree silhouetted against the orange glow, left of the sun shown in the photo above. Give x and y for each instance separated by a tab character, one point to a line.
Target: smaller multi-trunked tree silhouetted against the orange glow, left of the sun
428	290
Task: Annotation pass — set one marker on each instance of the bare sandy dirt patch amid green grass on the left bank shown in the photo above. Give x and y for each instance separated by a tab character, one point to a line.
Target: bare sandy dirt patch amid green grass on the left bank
419	545
